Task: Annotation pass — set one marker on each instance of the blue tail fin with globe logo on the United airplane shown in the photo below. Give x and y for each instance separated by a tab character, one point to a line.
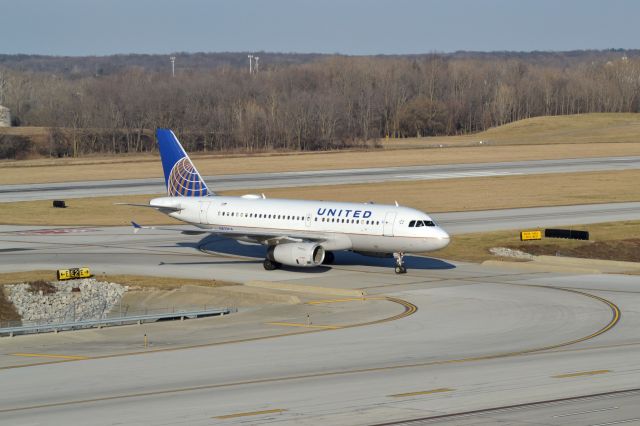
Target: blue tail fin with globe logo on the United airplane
180	175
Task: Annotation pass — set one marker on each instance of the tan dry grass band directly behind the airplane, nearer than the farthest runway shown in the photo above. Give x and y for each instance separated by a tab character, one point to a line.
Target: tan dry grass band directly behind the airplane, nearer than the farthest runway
432	196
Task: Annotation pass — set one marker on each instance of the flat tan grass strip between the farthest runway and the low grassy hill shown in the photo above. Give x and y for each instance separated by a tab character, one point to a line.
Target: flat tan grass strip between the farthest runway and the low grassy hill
134	168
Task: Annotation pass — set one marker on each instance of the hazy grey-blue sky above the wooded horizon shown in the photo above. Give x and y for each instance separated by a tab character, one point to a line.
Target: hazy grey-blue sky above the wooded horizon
103	27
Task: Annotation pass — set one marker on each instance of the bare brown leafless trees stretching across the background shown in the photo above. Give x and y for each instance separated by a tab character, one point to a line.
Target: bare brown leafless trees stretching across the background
330	102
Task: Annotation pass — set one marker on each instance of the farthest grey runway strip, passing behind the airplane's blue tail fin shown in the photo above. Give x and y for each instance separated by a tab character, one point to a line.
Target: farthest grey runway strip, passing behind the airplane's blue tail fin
10	193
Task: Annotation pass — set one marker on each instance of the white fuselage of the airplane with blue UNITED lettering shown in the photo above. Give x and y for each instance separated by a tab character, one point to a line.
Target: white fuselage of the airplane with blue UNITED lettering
372	228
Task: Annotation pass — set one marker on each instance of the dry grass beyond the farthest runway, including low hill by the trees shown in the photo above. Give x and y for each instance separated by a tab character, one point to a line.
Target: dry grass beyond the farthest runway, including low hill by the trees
589	135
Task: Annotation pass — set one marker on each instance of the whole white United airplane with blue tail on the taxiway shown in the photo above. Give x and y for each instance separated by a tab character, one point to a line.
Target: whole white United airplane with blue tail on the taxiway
297	233
